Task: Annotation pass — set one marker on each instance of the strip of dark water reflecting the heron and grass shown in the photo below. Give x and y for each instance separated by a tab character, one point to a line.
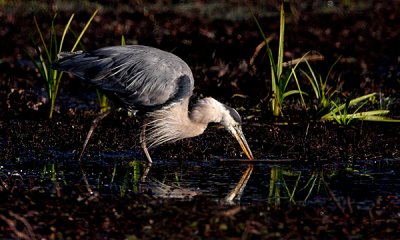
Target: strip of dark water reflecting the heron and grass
337	184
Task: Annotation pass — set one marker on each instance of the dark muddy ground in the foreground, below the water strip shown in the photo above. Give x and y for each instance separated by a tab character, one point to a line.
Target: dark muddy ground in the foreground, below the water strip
36	215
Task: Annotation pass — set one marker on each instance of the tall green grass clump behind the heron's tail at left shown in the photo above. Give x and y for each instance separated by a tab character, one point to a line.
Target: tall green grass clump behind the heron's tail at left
49	54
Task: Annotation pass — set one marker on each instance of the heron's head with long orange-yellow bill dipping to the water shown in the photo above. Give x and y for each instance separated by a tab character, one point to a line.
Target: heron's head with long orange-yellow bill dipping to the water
232	122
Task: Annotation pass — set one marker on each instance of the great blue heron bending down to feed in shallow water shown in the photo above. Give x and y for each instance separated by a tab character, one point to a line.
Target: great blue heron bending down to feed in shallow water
158	83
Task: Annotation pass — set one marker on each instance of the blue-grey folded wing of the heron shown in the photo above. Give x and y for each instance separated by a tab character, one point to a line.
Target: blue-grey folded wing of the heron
140	77
